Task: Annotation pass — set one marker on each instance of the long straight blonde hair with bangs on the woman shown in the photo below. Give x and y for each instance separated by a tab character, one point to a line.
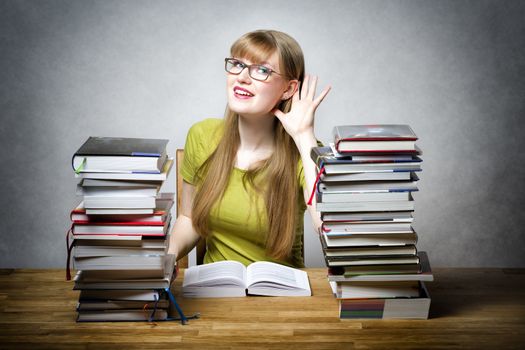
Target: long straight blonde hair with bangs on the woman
280	170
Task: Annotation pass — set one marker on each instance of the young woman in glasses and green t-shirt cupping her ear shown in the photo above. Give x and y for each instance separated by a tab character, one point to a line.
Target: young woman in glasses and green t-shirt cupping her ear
247	177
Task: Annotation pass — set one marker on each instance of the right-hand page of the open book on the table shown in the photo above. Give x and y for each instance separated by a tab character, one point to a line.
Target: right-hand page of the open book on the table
276	276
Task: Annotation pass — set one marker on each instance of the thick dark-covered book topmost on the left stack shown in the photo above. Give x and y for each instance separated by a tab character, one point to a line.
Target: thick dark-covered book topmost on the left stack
118	154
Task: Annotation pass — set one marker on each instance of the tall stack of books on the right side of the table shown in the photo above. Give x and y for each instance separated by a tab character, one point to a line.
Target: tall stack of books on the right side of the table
364	195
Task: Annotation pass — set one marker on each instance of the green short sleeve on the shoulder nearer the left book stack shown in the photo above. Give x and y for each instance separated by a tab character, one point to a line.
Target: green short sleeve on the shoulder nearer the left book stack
201	141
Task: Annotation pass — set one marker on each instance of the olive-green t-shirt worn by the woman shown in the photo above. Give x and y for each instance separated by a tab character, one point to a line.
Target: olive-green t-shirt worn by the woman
238	224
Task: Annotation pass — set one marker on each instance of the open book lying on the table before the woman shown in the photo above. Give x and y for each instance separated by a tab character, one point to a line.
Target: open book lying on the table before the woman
233	279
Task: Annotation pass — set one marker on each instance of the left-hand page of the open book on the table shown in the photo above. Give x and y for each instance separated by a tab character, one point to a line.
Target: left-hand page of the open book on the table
221	273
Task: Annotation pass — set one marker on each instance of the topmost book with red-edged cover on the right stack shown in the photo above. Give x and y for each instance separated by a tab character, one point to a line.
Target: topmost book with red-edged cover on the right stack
382	138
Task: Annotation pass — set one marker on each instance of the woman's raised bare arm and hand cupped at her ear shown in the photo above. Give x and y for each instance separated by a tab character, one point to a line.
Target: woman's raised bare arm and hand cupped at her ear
299	123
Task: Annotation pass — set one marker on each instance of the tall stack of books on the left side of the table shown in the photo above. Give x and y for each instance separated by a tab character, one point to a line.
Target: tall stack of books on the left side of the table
120	230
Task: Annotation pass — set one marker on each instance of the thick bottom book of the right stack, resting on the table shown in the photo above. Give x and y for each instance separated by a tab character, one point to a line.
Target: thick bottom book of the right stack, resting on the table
386	308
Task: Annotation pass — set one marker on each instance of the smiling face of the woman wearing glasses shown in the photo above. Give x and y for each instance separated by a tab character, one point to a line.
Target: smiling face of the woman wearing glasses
252	98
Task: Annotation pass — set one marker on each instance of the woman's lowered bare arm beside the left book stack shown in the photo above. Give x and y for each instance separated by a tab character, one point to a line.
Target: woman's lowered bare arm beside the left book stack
183	236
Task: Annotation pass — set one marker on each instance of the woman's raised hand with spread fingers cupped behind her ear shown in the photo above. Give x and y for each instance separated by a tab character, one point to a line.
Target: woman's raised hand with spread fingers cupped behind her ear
299	121
